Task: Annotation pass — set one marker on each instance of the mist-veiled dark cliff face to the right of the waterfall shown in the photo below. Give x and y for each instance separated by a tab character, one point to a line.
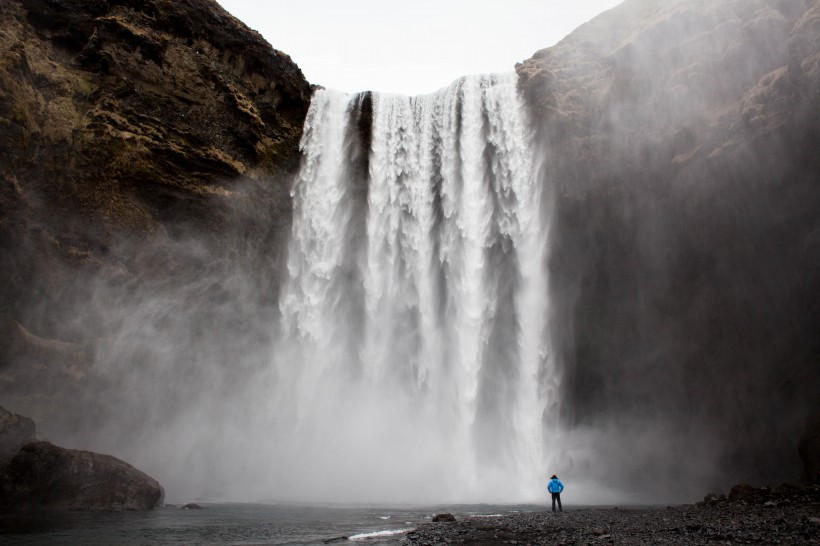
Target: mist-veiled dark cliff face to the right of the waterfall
681	139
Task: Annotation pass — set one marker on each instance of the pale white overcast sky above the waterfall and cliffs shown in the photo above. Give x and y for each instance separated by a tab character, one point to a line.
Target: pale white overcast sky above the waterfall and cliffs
410	47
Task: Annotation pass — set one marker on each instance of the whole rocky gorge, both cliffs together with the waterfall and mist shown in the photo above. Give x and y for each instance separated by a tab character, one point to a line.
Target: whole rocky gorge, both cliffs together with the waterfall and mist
603	264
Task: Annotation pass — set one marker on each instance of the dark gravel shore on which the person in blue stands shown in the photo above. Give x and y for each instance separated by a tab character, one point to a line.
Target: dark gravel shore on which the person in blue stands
774	519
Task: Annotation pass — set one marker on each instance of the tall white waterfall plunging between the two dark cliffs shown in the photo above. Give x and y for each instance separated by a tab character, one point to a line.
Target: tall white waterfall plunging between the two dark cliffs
412	353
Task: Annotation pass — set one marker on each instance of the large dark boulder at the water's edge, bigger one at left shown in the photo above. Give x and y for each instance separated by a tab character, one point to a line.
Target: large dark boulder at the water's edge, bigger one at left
43	476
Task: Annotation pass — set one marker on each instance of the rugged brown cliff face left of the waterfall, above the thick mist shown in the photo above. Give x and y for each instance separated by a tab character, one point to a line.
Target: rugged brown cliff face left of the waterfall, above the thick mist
135	134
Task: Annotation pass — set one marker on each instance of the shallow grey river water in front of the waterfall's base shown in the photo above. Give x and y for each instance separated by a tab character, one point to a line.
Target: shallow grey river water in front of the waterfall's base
234	524
